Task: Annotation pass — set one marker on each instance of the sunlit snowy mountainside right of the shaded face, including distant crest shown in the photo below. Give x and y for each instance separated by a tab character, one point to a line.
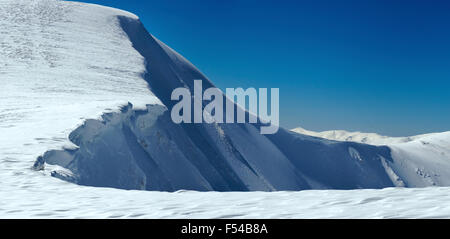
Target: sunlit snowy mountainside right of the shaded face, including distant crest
419	161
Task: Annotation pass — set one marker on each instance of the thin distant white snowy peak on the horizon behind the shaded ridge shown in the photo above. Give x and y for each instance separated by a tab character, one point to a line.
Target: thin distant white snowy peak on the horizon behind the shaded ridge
366	138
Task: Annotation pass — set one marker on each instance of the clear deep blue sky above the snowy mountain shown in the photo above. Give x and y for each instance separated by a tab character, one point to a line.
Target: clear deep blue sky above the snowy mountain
375	66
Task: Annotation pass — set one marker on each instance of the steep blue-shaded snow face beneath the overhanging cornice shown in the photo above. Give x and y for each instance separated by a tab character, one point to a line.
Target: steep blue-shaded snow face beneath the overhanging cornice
144	149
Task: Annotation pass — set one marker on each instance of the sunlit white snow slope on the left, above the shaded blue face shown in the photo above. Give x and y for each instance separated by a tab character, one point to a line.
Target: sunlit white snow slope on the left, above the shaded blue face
56	72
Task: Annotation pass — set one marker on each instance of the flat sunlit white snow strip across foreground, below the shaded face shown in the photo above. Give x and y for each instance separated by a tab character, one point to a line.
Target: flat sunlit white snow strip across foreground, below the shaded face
69	201
